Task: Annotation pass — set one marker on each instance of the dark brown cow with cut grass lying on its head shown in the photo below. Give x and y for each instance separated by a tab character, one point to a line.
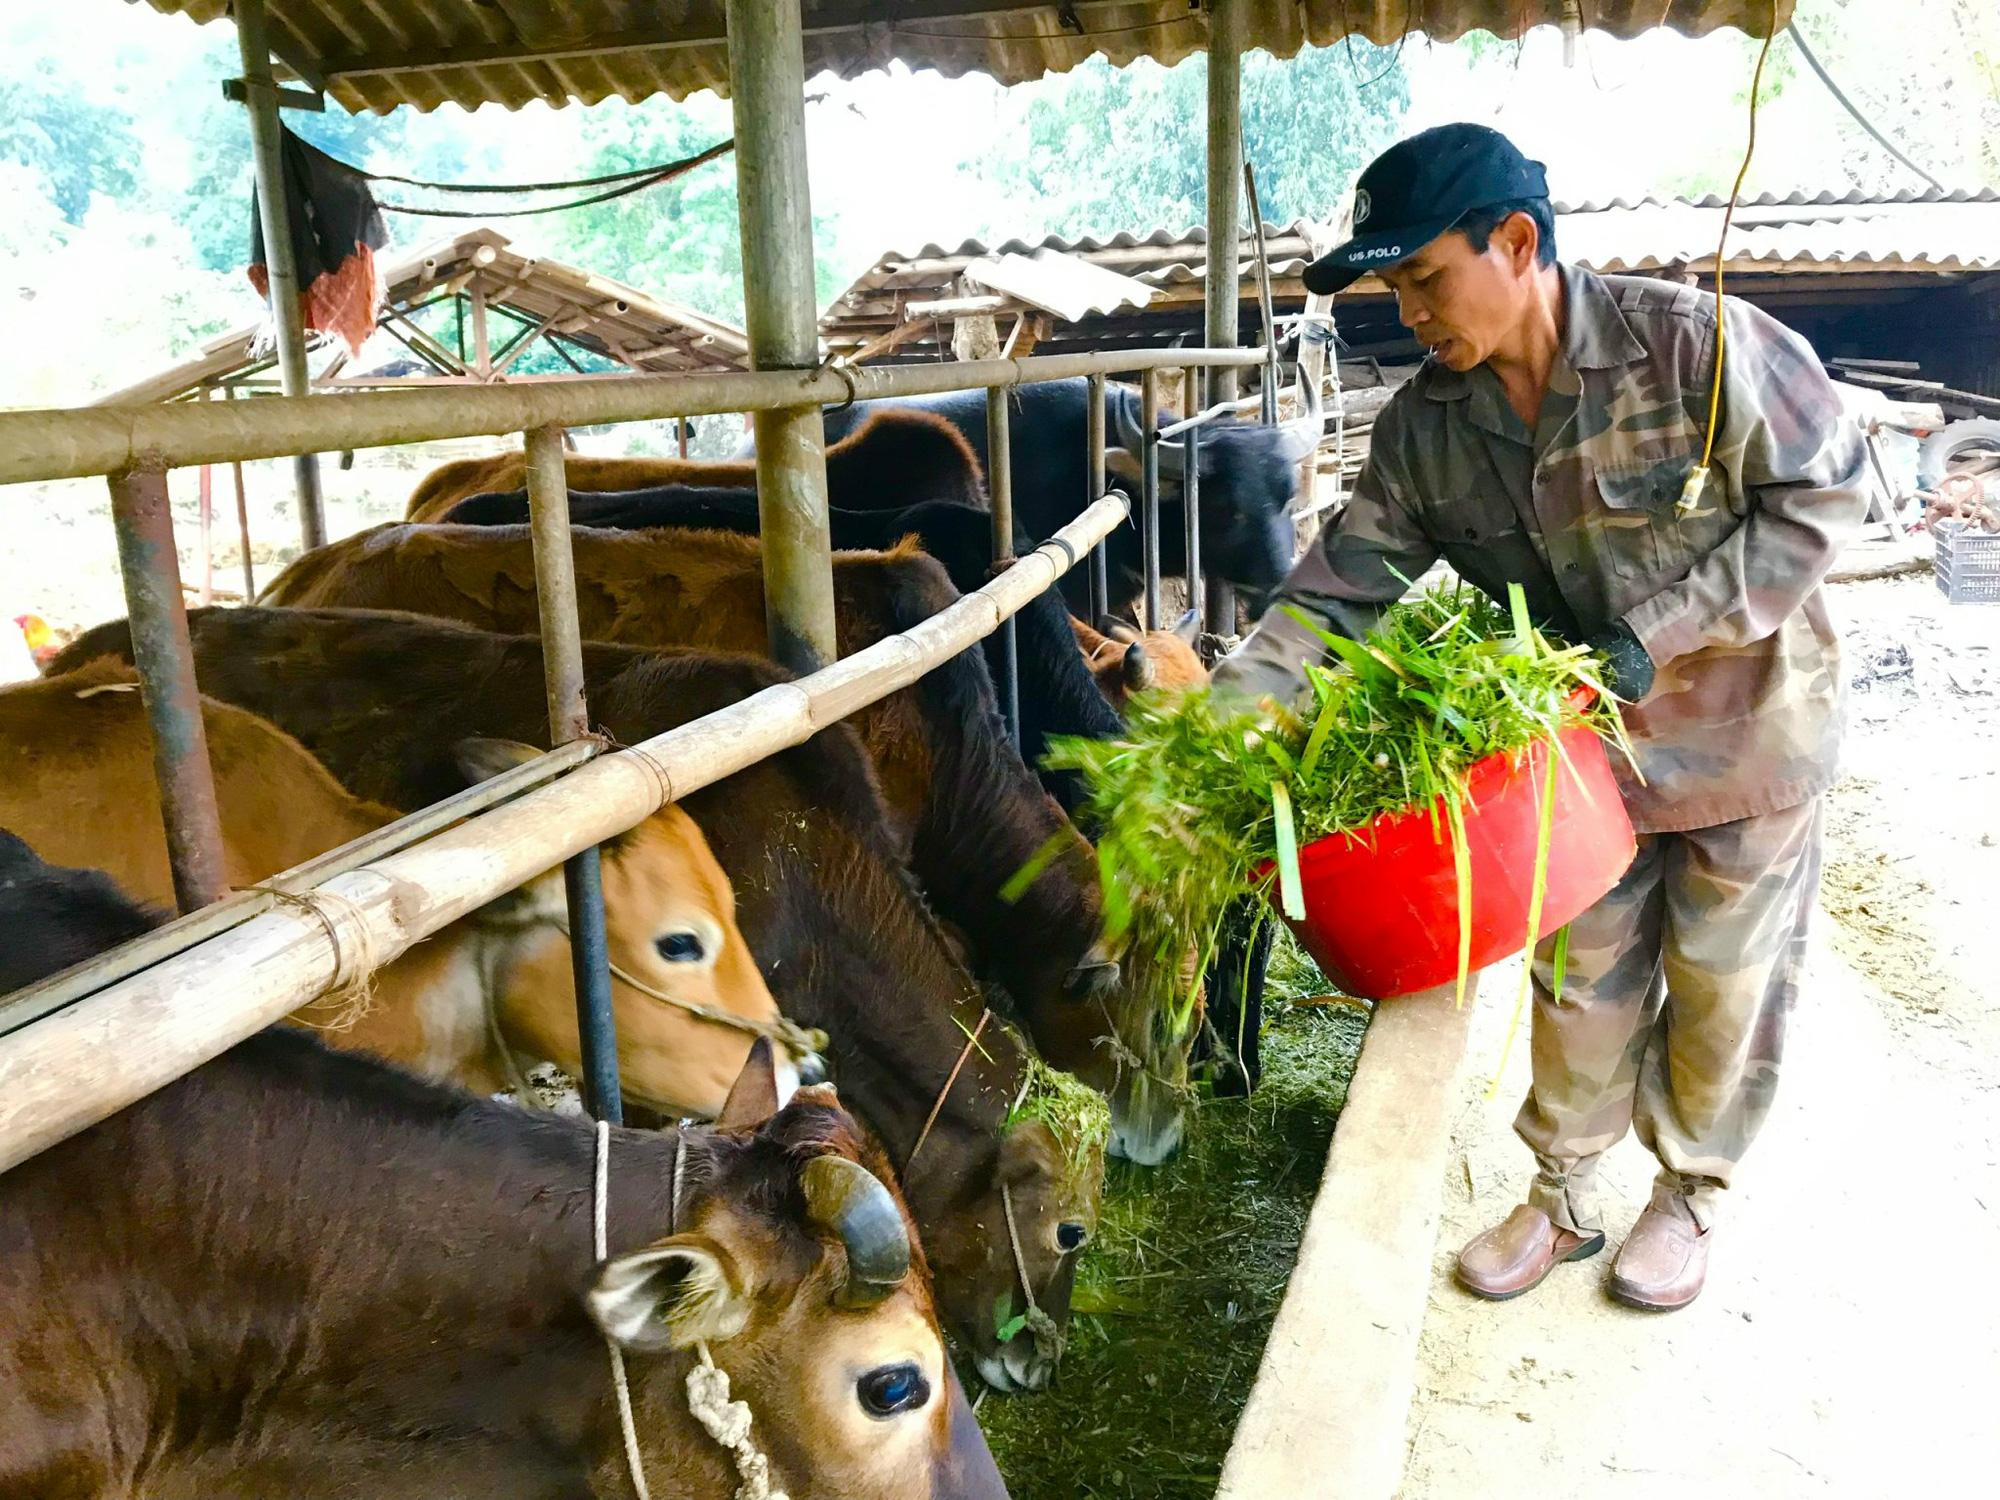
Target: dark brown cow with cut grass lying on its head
837	931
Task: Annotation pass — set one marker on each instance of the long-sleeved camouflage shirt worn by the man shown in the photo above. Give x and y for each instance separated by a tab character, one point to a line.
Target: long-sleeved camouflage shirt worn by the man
1745	713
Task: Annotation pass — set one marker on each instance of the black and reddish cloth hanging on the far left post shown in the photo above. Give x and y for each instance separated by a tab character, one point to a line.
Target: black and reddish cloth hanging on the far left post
337	229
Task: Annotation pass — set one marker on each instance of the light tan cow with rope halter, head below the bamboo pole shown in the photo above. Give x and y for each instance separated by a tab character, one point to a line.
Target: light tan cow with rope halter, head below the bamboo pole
477	1001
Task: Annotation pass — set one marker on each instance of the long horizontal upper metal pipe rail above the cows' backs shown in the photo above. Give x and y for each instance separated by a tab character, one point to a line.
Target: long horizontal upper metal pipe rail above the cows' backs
81	443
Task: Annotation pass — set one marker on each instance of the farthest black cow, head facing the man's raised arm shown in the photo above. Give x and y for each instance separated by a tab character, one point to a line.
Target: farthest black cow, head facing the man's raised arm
1249	481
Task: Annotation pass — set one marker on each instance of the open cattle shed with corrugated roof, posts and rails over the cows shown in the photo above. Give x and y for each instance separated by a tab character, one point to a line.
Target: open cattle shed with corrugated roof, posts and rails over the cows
91	1043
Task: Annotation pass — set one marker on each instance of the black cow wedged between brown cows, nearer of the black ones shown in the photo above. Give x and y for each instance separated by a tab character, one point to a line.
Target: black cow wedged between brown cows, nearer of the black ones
1057	691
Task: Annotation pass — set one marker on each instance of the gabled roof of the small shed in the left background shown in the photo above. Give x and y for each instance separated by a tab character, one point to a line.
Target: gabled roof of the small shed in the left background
595	313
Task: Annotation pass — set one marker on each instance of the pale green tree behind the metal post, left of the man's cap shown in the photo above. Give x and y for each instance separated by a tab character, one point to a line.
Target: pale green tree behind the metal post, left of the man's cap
1125	149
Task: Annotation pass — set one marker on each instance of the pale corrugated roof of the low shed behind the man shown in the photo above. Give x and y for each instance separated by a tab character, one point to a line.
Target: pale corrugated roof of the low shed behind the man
1911	233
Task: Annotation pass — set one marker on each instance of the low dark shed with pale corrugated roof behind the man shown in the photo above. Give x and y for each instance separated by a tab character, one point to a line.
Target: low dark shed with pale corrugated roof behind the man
1911	279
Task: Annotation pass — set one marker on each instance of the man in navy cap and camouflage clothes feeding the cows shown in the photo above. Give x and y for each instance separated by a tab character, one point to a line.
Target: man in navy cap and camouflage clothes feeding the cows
1559	439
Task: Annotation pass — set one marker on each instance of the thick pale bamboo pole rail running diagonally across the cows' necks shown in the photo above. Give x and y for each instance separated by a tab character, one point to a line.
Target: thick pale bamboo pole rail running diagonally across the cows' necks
111	1049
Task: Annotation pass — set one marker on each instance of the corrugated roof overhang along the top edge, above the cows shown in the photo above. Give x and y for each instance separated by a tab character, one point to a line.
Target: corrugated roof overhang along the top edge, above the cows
377	55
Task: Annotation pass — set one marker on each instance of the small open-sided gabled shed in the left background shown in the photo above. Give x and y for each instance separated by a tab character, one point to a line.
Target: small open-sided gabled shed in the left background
491	307
